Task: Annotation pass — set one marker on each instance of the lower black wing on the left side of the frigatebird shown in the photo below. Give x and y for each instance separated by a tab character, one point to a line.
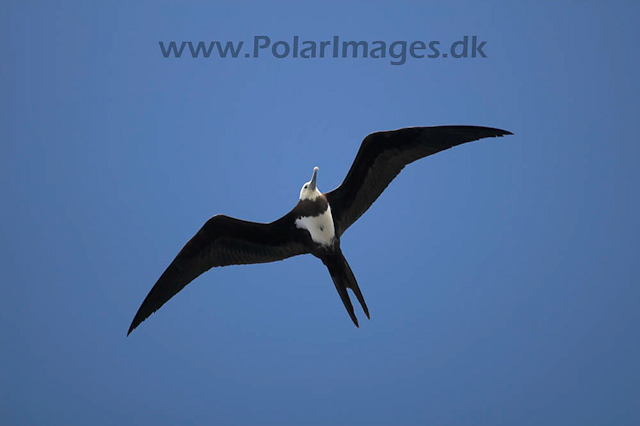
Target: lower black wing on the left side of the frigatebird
221	241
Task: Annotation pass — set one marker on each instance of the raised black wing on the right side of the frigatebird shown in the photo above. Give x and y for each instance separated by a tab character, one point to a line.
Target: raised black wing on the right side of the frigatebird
383	155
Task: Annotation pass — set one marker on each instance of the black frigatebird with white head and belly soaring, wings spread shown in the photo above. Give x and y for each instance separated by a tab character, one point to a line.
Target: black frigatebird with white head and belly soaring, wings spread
316	223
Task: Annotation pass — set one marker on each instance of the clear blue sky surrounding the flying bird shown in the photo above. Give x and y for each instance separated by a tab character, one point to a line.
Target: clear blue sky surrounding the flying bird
502	276
